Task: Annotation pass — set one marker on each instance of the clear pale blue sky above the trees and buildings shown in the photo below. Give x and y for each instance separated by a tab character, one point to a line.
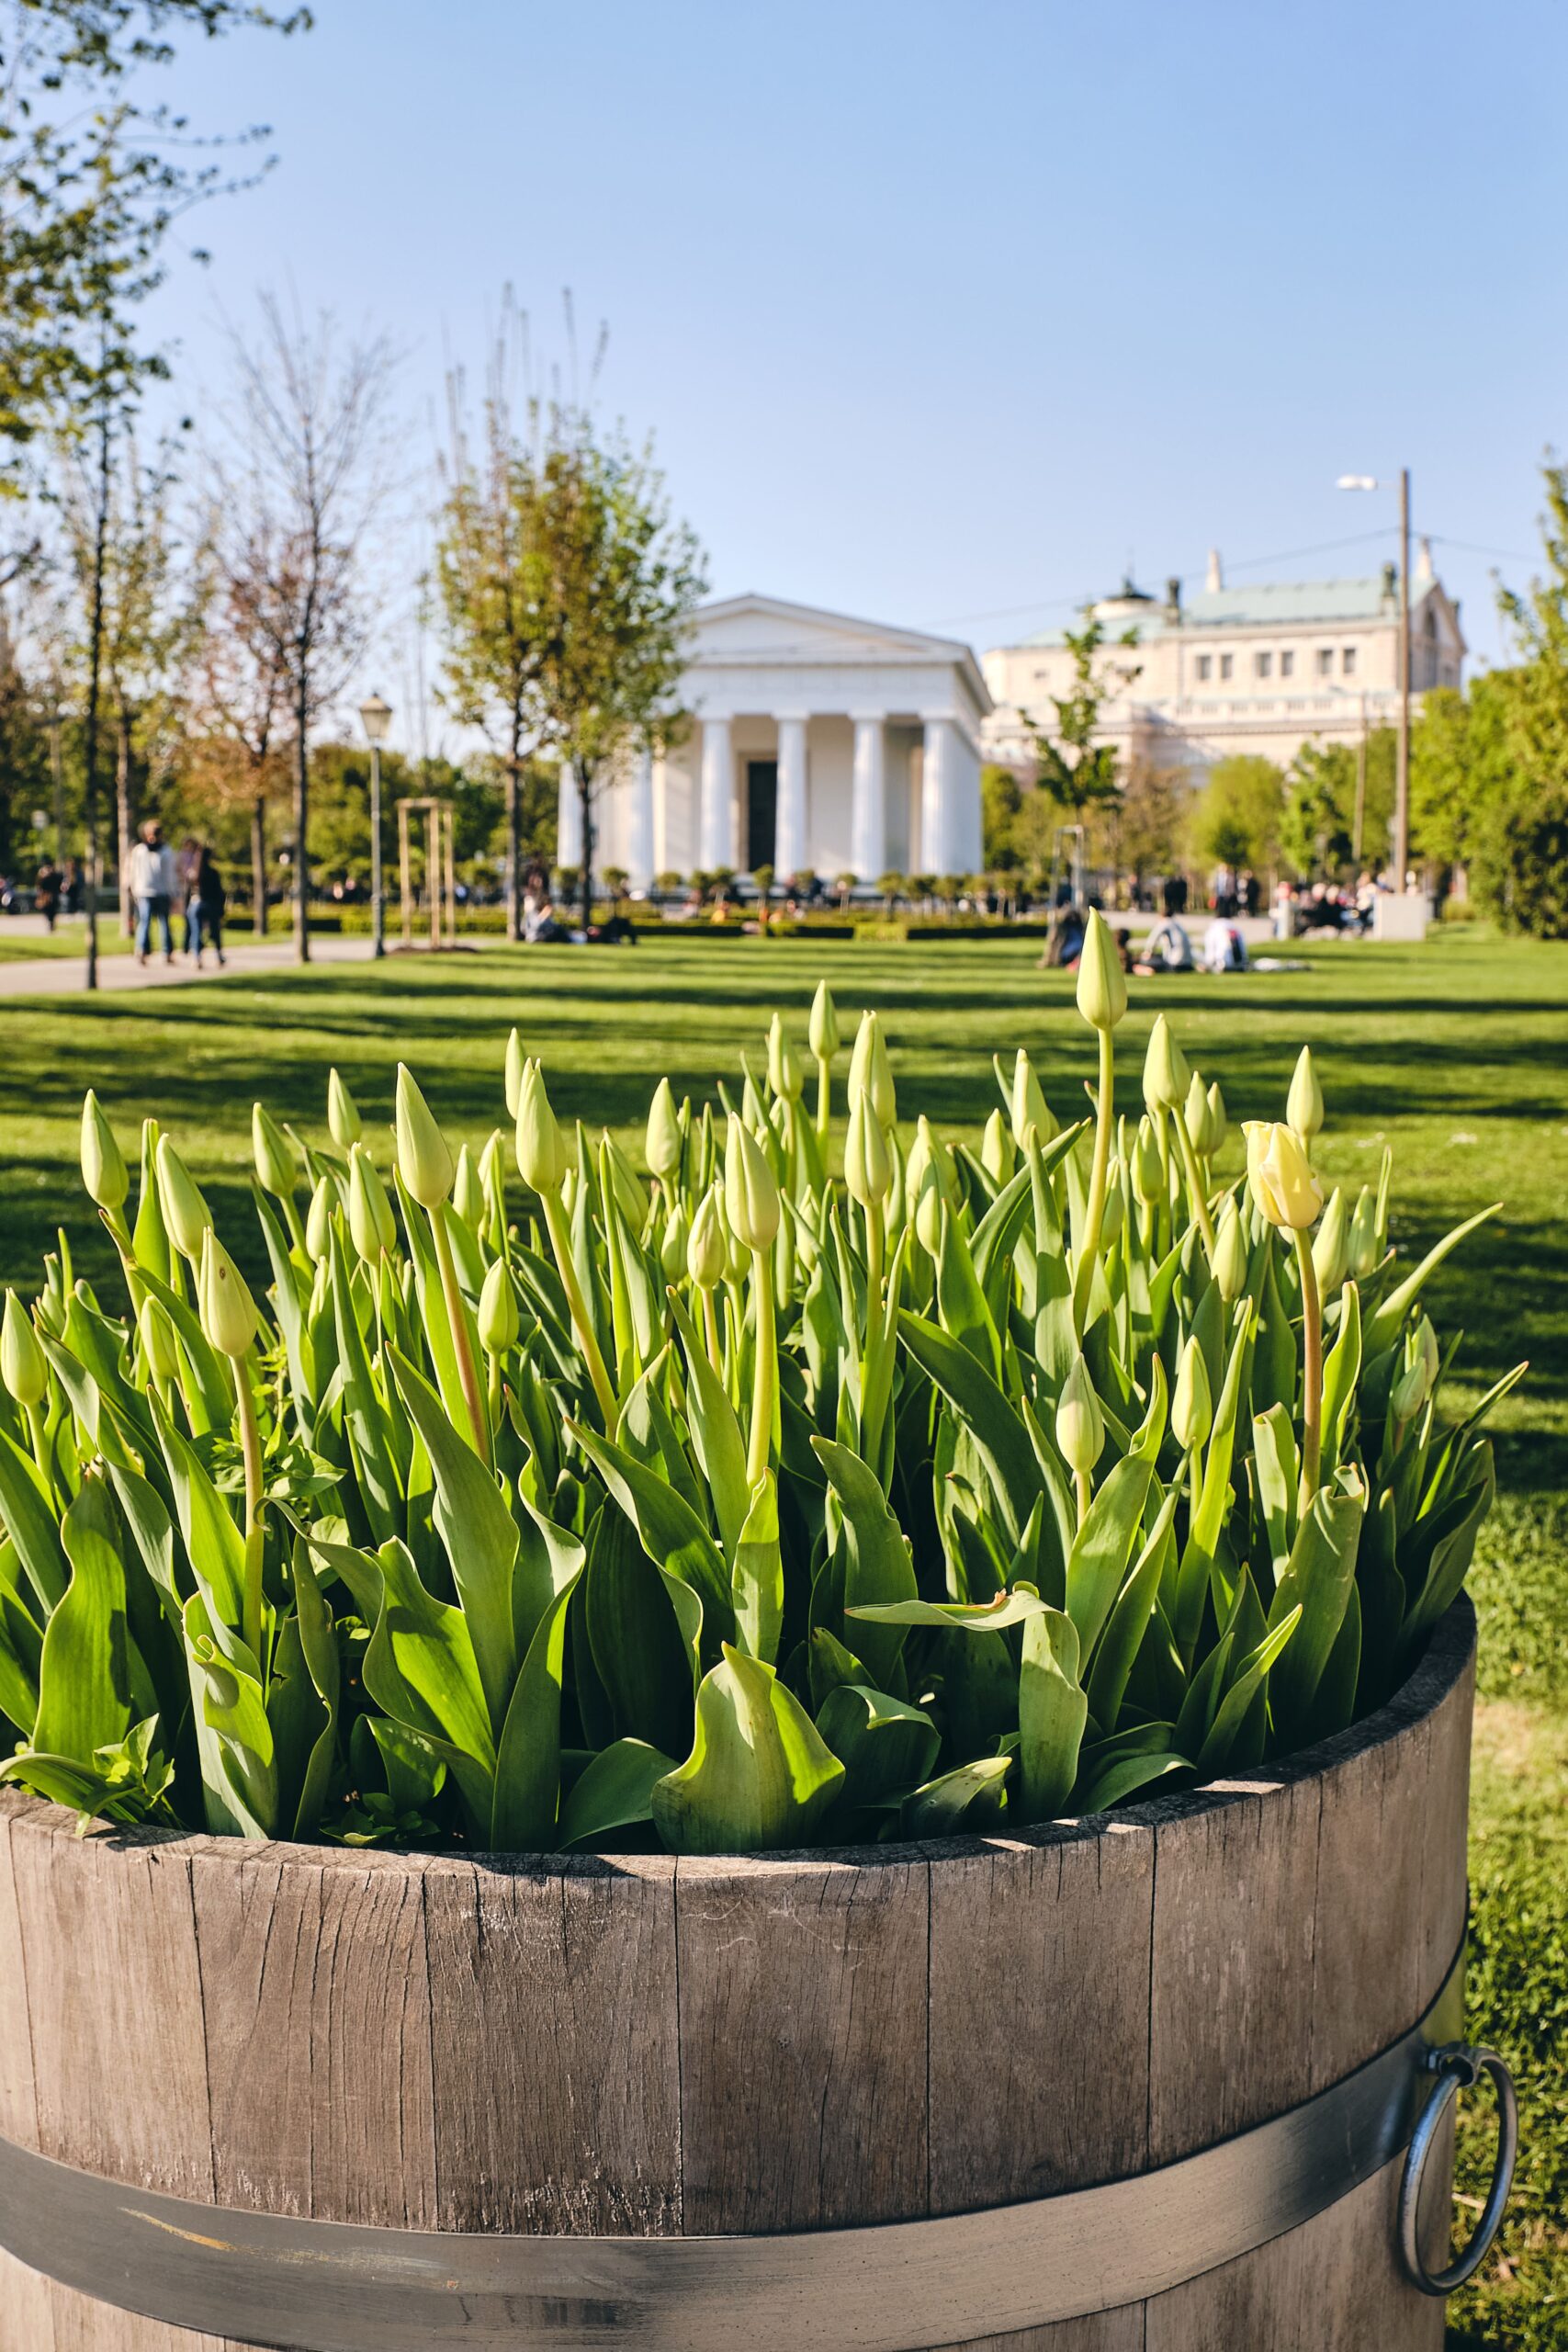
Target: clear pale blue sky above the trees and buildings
942	314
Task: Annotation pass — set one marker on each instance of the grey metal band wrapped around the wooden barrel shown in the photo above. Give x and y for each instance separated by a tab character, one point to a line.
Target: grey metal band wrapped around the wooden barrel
340	2287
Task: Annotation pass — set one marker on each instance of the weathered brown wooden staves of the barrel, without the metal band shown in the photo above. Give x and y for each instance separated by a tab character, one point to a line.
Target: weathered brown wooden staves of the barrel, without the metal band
652	2047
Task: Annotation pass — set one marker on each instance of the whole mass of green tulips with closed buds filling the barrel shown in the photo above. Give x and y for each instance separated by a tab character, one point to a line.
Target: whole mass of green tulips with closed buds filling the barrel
725	1504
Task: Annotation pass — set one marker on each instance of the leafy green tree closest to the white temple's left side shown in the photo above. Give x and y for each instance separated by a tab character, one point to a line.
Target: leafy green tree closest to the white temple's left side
622	587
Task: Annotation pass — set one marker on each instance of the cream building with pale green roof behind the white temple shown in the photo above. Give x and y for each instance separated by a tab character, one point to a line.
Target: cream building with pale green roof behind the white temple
1240	669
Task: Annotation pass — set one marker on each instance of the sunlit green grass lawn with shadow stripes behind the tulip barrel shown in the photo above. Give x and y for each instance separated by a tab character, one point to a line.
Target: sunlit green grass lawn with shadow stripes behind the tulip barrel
1454	1053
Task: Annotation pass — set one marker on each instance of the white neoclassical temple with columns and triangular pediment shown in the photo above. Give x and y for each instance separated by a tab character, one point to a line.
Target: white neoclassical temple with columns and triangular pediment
817	744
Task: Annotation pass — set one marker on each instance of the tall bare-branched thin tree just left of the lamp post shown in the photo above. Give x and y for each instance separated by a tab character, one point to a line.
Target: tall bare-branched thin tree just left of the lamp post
297	497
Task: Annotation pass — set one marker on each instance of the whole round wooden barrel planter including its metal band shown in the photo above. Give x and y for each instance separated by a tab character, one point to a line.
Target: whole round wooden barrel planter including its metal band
532	2094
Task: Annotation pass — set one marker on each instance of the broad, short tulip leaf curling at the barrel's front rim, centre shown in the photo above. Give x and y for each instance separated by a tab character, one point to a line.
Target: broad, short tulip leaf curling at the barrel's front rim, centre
758	1775
